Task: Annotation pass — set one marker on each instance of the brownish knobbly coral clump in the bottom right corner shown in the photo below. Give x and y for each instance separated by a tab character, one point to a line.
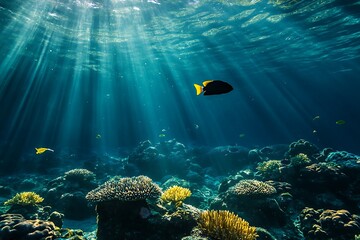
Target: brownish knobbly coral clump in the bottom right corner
329	224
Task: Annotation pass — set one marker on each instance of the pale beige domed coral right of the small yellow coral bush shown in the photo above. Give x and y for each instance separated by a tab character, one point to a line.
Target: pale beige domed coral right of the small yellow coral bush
252	187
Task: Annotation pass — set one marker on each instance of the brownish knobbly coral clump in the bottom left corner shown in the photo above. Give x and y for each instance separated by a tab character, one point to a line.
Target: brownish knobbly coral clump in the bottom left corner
14	226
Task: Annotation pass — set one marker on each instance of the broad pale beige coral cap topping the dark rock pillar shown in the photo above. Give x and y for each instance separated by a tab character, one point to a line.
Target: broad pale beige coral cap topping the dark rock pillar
125	189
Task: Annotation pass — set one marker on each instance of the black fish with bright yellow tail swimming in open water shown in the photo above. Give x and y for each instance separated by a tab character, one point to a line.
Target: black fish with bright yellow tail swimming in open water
213	87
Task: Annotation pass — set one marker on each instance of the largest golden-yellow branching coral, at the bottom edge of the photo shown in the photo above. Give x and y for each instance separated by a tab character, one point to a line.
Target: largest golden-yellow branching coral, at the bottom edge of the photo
225	225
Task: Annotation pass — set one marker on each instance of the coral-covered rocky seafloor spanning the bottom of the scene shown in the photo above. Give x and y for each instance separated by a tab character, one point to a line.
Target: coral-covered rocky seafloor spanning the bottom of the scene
286	191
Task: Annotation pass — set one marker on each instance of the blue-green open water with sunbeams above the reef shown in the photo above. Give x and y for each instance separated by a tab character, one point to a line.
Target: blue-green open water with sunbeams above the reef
97	77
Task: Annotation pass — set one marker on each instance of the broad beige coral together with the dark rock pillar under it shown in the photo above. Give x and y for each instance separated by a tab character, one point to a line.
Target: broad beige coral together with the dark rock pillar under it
122	209
